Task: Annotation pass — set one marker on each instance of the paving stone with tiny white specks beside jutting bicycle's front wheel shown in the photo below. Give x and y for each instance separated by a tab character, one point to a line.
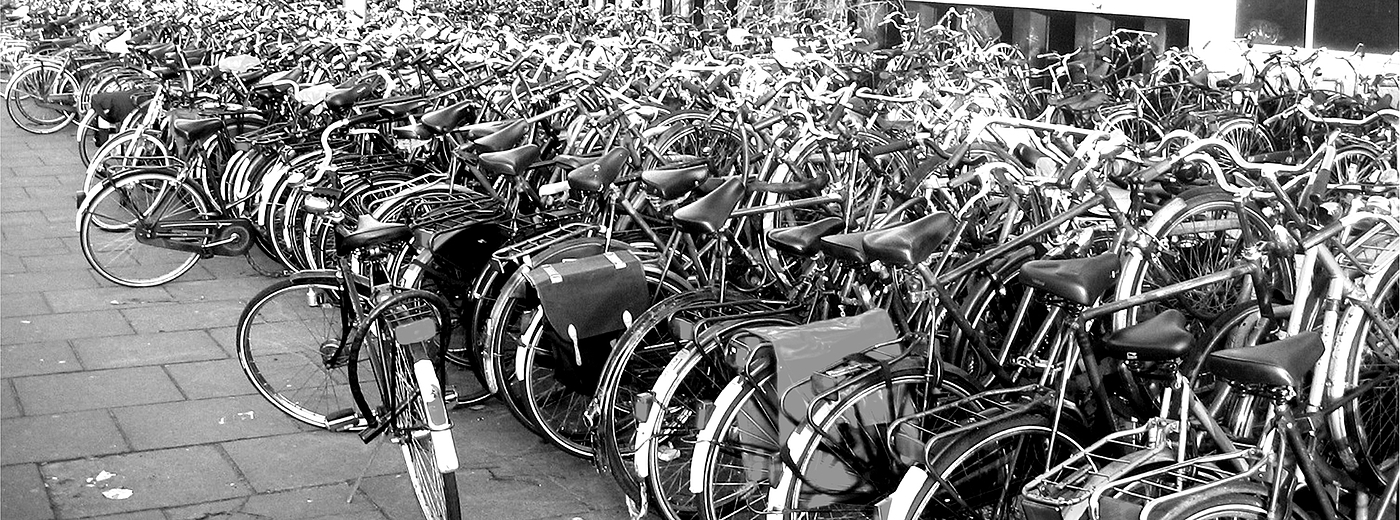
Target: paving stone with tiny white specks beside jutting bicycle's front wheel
204	421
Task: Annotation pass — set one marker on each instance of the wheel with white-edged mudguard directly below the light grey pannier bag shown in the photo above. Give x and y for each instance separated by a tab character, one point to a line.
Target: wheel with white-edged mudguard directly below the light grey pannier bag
839	466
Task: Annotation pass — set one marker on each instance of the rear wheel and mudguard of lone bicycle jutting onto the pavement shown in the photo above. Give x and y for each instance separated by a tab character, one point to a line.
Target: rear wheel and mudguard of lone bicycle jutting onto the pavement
405	333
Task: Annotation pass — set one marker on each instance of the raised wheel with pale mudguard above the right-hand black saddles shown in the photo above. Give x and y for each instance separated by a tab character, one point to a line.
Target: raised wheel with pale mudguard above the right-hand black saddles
1198	233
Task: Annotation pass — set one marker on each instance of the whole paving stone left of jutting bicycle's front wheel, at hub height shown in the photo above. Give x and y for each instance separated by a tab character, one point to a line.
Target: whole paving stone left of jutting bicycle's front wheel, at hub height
145	350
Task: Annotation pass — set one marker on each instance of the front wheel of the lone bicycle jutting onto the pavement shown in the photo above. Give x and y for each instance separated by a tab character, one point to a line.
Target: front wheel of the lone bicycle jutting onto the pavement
289	341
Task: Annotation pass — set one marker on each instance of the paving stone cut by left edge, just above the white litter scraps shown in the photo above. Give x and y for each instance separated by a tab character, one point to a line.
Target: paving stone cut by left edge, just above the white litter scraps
50	438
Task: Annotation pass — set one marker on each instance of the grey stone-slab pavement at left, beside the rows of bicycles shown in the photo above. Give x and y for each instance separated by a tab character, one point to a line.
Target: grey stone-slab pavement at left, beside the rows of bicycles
107	389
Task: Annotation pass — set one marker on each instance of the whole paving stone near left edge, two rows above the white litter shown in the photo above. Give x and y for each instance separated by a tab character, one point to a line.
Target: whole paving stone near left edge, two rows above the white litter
93	390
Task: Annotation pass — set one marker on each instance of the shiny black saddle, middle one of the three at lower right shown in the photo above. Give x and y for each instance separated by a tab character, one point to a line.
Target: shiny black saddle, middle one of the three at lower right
1282	364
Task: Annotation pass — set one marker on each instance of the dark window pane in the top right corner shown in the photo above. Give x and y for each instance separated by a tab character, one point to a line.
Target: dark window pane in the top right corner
1342	25
